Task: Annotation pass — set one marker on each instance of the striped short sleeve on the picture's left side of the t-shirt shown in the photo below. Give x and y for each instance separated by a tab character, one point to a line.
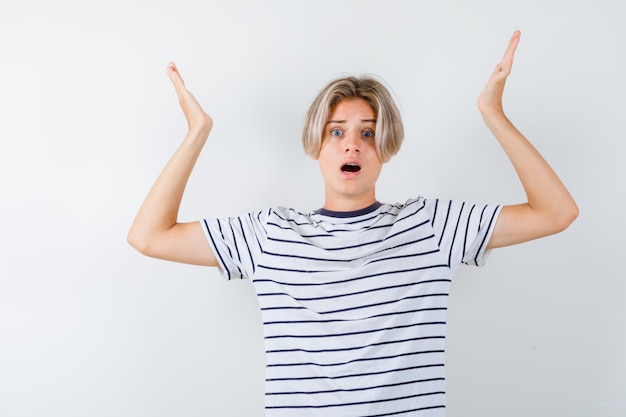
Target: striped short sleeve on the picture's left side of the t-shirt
237	243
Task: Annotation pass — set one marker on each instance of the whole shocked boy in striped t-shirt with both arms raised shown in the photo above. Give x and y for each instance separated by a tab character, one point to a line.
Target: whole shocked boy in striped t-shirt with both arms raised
354	295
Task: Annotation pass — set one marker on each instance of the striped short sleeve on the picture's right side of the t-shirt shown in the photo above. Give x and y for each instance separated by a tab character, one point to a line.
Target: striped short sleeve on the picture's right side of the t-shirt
463	230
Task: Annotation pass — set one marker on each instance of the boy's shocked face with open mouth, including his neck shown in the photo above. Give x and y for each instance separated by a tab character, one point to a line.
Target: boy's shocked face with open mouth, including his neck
348	157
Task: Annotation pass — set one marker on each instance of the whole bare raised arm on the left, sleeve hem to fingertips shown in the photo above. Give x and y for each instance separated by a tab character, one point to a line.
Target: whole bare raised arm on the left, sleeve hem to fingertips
155	231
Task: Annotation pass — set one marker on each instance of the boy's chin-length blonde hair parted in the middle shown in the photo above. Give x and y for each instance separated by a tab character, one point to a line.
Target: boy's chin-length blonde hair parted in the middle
389	129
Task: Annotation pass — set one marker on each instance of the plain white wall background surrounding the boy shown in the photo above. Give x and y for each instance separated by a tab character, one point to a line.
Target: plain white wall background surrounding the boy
88	327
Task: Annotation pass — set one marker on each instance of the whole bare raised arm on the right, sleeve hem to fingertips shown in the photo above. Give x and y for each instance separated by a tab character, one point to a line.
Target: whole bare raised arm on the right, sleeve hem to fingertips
550	207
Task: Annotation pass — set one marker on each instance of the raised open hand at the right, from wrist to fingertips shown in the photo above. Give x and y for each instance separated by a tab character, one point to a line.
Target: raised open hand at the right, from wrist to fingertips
490	100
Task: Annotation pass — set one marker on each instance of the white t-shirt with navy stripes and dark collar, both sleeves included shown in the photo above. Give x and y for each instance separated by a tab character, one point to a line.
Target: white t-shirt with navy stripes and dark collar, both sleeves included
354	304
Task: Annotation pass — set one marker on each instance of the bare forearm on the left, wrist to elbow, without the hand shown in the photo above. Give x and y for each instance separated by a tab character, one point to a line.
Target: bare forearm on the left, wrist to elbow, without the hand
159	211
